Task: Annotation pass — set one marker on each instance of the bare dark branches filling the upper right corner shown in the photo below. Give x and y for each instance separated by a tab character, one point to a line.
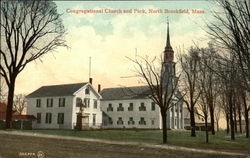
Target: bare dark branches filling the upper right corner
231	32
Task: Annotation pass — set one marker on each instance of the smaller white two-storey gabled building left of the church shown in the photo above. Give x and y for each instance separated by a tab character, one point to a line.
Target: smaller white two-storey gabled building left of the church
56	106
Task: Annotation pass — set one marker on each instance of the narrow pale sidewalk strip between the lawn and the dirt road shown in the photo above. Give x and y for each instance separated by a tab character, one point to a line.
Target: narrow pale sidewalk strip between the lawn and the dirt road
158	146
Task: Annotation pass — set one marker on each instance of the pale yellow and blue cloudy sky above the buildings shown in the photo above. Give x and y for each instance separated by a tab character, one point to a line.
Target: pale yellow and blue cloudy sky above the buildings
109	38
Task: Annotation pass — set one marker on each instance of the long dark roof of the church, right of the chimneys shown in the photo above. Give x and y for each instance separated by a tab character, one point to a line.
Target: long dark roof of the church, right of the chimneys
122	93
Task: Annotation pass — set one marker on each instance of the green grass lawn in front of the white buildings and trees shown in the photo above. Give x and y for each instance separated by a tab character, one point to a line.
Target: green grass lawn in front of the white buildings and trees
219	141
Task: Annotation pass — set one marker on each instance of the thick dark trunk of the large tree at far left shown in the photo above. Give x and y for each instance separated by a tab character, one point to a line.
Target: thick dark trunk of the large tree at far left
10	103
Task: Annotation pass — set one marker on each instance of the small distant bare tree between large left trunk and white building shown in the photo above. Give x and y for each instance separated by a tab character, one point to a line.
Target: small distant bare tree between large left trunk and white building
20	103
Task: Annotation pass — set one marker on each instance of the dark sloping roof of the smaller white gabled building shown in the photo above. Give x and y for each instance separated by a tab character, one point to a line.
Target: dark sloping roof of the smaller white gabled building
56	90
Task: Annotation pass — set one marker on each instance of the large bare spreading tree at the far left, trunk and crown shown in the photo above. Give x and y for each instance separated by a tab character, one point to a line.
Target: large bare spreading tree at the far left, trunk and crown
29	30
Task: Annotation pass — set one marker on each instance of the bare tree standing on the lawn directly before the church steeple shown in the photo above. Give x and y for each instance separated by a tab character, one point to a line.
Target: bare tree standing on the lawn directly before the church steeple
162	84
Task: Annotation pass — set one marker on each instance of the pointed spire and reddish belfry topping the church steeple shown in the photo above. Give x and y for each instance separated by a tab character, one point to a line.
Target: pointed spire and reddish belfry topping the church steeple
168	52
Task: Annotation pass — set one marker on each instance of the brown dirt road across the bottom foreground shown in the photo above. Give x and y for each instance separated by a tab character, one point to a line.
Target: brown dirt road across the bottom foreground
16	146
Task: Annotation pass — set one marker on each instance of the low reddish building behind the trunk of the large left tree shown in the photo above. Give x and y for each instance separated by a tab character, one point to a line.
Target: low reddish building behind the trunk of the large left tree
18	121
